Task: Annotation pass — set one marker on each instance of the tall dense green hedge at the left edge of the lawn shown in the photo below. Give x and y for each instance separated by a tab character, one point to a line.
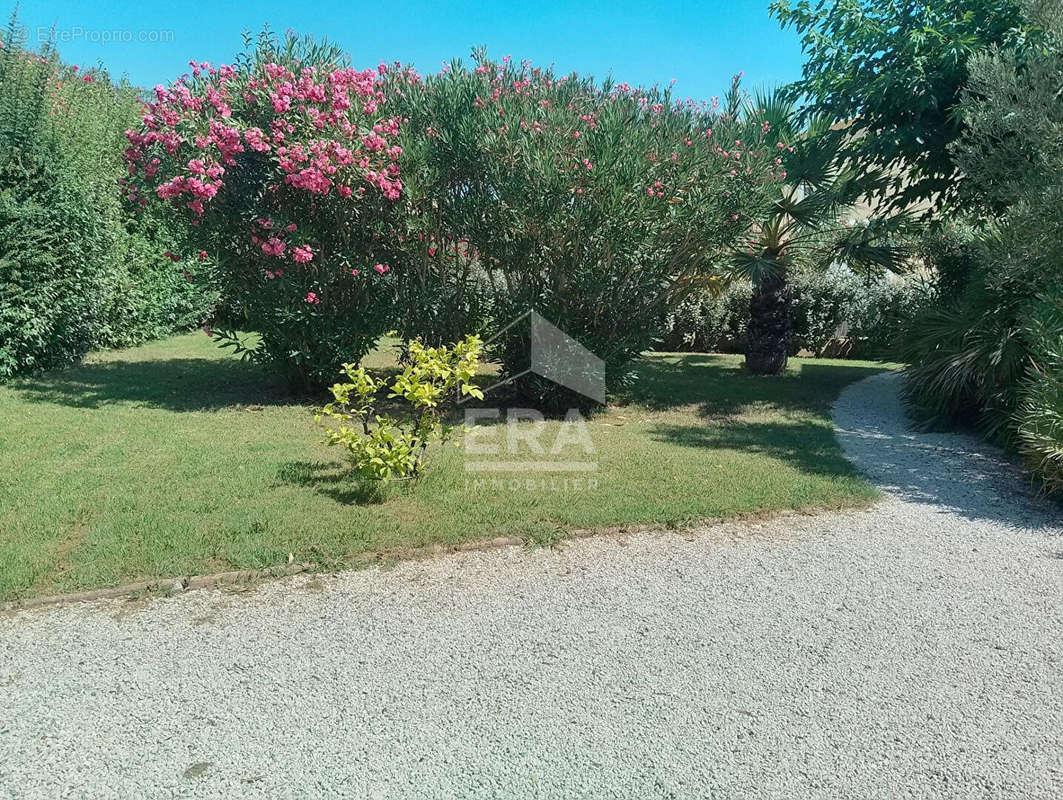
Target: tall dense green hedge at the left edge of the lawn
76	273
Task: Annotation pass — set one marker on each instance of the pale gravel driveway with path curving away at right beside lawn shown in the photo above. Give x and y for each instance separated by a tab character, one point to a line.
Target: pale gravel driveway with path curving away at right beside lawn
912	651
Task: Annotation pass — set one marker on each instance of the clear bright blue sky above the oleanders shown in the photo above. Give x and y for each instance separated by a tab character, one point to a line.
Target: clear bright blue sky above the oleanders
699	44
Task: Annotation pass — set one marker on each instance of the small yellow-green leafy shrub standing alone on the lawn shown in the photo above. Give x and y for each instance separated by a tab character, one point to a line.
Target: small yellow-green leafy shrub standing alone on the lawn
382	447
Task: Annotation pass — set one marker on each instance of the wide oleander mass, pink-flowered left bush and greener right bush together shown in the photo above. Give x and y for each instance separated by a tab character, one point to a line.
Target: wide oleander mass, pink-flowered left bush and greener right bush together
601	207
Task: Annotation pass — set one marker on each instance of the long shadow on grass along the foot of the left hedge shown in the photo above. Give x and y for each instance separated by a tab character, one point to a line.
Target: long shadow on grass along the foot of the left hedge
176	384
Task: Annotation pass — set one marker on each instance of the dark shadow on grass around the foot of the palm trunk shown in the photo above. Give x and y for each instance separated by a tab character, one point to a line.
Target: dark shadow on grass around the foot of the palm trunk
721	386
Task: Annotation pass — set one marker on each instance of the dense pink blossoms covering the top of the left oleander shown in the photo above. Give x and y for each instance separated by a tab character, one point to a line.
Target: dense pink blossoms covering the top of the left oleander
322	131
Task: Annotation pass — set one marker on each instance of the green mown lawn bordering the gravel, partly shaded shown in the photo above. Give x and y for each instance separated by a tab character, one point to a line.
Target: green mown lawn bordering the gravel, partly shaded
176	458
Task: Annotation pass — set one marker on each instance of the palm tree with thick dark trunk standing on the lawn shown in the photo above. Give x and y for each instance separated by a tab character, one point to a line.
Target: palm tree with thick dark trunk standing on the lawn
804	229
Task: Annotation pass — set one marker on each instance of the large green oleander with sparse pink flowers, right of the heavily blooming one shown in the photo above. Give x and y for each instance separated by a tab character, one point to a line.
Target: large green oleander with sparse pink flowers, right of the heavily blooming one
599	206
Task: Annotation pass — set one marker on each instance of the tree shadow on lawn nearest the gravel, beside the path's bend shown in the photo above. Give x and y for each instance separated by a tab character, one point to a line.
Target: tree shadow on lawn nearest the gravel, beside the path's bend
808	448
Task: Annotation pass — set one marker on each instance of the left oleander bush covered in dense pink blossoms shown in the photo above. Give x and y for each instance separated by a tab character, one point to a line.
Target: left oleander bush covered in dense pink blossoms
283	168
